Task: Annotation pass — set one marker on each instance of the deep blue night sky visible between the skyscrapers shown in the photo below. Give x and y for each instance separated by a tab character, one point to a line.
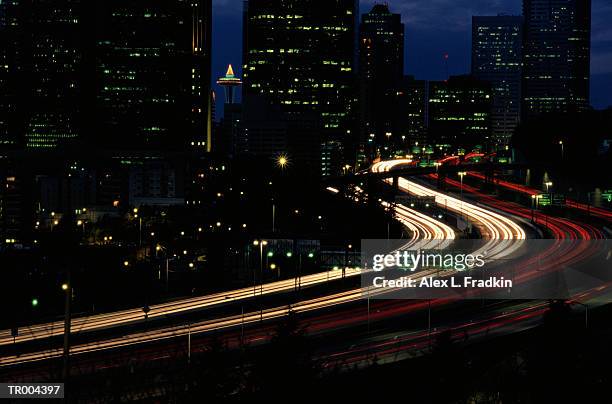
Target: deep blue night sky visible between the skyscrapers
433	27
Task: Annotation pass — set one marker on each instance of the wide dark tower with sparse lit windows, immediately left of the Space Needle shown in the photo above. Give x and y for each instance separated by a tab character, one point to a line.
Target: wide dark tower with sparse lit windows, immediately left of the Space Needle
152	62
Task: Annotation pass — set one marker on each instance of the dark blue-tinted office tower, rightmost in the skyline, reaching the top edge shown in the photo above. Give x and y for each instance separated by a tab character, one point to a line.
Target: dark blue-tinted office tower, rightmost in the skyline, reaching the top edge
557	42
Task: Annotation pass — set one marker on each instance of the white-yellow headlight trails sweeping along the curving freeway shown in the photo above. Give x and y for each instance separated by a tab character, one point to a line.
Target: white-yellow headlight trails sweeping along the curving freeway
500	228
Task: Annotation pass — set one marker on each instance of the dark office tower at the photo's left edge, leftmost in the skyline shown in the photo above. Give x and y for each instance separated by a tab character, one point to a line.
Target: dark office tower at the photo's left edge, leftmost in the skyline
41	68
